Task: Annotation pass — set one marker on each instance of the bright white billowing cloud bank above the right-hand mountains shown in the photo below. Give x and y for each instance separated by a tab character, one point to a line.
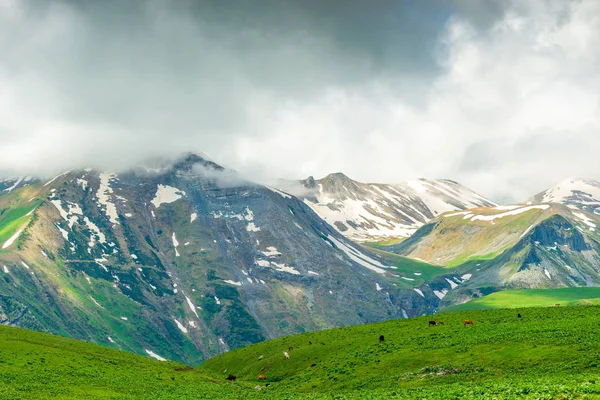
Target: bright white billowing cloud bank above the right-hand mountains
523	93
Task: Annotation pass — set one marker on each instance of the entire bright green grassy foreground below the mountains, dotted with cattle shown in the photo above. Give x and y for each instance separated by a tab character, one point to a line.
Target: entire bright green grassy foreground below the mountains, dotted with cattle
549	353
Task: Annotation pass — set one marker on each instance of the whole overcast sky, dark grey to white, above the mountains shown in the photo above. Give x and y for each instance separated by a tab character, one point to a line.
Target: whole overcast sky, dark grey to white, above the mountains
500	96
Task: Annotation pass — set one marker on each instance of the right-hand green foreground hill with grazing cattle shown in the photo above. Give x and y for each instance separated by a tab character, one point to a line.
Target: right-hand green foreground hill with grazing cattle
549	353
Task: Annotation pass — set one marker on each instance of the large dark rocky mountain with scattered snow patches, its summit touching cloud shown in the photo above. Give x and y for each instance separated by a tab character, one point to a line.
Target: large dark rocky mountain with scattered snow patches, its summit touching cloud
182	261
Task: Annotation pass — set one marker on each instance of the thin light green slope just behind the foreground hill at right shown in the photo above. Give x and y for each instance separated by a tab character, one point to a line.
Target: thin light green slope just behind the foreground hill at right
532	298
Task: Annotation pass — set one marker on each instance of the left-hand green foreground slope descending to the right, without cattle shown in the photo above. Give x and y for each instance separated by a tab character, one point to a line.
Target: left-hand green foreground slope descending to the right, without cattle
35	365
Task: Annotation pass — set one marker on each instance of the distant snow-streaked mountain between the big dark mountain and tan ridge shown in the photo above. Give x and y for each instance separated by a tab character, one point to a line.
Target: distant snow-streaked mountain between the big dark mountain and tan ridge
372	211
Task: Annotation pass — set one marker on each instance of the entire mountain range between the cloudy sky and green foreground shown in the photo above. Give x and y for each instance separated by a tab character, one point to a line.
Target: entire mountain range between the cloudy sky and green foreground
186	259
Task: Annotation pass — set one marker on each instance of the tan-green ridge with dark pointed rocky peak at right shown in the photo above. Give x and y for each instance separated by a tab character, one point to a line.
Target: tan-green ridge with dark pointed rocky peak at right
520	246
